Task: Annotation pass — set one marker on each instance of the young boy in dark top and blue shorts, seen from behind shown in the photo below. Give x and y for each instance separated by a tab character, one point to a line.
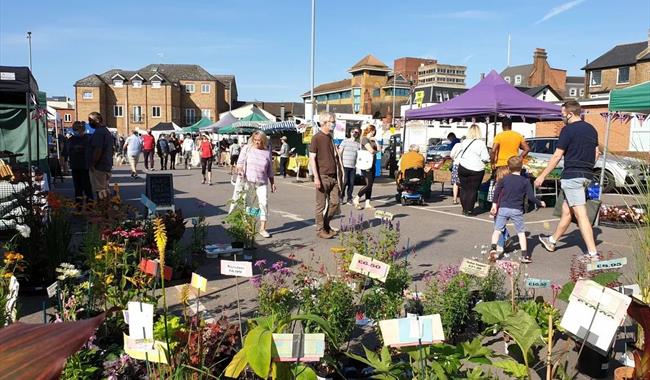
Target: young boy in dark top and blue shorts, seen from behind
509	197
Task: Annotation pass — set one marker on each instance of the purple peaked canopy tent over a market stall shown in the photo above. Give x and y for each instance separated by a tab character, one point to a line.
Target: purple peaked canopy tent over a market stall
491	98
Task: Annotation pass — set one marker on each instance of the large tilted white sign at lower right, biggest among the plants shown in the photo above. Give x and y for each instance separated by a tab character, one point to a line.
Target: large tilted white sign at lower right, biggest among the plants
606	307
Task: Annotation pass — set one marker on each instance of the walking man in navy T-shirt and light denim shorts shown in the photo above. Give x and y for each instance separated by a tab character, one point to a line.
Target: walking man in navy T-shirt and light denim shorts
578	144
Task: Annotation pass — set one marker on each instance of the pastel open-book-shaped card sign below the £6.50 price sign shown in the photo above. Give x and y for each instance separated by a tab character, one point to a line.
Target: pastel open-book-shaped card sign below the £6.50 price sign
404	332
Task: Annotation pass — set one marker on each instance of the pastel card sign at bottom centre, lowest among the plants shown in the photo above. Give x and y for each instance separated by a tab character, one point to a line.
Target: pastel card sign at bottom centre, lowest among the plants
298	347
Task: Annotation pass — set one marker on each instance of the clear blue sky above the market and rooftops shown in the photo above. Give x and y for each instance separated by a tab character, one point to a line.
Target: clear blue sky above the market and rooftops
266	44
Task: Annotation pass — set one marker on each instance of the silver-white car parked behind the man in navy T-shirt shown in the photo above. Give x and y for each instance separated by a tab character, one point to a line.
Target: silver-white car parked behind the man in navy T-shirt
619	171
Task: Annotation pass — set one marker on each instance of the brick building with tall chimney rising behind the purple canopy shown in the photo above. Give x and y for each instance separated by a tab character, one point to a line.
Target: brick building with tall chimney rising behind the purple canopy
540	73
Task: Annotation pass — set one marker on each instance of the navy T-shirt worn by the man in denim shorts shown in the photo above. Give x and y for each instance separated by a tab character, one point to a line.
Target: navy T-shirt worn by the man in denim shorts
579	141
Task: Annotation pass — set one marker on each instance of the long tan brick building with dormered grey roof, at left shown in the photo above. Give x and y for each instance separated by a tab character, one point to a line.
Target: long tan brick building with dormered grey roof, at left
156	93
